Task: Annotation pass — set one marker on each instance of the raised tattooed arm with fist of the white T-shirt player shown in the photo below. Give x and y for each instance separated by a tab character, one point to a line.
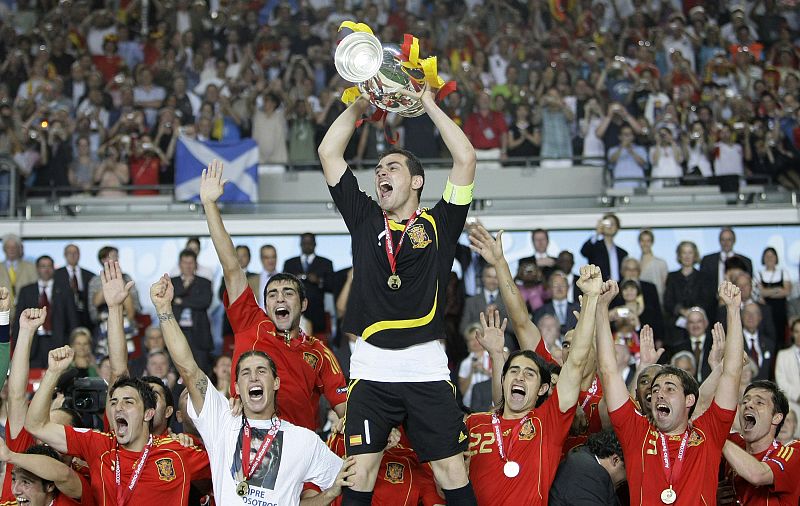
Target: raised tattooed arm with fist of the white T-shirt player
161	293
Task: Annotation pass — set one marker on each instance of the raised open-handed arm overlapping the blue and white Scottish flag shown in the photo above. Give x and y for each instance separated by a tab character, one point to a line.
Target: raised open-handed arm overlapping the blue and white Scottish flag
212	186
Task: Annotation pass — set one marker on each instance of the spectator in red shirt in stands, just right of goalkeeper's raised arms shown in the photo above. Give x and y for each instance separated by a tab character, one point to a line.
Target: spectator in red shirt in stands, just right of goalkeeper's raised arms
486	130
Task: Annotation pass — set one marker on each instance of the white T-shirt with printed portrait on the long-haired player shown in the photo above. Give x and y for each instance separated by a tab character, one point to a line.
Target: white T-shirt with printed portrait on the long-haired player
296	456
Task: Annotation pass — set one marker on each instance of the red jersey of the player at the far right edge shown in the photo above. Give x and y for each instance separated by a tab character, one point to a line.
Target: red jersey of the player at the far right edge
785	464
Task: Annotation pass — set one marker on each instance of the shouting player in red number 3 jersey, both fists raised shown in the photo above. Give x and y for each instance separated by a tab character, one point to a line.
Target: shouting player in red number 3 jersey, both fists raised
670	460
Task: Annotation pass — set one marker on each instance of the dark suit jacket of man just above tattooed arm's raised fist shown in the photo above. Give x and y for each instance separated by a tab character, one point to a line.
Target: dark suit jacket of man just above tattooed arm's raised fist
197	298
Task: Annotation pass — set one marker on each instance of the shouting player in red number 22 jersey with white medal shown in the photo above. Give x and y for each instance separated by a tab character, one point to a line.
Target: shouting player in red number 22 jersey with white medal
515	451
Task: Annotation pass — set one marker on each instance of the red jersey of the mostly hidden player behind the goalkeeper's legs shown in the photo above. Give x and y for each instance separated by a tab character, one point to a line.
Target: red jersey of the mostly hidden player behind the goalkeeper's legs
402	479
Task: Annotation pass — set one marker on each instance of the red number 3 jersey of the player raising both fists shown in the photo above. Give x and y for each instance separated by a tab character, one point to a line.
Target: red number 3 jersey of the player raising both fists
641	446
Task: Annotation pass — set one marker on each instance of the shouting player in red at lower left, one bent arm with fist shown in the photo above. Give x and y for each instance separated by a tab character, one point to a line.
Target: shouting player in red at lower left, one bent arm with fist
128	465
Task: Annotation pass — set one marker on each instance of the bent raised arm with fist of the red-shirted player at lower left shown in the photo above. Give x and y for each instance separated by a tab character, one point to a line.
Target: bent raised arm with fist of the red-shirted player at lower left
38	420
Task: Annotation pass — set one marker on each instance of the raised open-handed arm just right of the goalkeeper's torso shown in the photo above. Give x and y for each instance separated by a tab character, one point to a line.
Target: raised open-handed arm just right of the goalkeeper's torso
491	249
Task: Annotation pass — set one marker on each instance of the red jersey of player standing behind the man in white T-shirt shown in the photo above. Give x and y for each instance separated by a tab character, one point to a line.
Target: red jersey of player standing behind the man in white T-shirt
307	367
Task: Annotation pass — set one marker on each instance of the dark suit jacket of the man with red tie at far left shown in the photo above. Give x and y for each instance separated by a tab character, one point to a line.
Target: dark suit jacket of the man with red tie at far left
64	319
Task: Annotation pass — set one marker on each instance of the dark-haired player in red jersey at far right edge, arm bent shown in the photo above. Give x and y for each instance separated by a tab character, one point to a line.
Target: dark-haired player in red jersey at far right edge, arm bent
765	472
